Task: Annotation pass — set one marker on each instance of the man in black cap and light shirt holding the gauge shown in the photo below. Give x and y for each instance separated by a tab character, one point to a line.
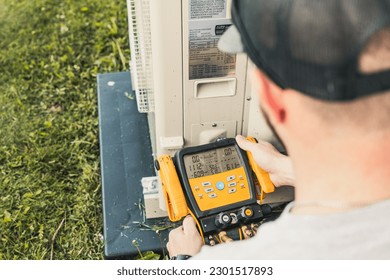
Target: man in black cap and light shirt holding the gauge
324	85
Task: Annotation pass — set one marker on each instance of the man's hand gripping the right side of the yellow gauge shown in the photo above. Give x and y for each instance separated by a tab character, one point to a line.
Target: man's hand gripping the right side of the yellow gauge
278	166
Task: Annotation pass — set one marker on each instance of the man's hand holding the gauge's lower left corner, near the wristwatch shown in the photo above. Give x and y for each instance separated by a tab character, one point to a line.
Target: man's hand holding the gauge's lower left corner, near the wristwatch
185	240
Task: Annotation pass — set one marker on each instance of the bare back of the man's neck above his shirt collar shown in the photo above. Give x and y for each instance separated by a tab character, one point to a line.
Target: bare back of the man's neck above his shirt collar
347	172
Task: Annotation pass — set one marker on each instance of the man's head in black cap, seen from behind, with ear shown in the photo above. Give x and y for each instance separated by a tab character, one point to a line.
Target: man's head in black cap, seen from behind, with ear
324	65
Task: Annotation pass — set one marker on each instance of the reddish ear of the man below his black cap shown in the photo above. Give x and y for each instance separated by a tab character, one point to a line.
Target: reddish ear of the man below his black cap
271	97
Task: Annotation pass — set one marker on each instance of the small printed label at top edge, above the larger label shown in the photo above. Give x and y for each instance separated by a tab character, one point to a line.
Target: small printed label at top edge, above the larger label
203	9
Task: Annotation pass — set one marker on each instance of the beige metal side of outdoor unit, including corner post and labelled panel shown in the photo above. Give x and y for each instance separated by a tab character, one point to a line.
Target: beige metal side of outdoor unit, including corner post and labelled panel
202	93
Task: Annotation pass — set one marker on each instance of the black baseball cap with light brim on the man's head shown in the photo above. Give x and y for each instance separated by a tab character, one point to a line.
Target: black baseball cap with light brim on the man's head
312	46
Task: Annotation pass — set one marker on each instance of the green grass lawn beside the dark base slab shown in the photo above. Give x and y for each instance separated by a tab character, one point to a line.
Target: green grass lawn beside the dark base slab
50	192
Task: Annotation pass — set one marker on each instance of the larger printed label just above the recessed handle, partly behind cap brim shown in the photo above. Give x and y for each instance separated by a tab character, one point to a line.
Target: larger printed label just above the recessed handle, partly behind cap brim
205	59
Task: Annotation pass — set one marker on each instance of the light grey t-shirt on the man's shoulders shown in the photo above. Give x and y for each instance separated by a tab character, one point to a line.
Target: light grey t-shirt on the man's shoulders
362	233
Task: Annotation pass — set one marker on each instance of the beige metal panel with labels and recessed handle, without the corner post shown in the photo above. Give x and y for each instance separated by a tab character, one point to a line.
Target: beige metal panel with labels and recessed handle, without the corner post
213	82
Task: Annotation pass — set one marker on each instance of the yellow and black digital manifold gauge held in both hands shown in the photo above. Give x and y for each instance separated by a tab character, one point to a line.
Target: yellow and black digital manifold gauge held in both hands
215	184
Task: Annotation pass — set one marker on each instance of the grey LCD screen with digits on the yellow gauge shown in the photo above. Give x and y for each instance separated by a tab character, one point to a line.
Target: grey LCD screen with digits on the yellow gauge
211	162
